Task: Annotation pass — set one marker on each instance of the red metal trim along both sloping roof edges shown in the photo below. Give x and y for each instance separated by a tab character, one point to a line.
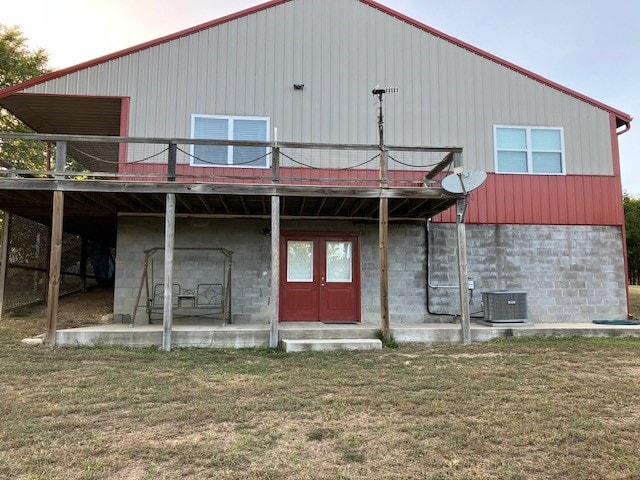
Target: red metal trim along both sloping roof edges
622	118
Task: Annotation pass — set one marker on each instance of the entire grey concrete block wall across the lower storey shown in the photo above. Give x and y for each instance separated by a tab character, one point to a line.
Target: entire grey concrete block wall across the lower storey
570	273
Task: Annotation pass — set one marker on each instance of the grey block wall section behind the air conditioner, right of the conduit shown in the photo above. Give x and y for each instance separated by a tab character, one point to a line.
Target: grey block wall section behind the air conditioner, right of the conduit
570	273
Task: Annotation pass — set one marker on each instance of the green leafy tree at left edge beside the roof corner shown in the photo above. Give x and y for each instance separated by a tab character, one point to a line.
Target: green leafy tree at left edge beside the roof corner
19	63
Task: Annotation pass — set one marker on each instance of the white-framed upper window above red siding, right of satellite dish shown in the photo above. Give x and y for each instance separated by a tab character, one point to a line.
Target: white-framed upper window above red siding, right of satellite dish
529	150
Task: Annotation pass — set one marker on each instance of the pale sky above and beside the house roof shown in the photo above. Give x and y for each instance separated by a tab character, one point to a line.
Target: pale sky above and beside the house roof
591	46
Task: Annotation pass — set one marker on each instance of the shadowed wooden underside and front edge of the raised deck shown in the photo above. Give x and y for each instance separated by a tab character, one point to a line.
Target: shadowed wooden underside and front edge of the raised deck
91	208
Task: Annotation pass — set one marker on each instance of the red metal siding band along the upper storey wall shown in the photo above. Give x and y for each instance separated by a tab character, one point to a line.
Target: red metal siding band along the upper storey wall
503	199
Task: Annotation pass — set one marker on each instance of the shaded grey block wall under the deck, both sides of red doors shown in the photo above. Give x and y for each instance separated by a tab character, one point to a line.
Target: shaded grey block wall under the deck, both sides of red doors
251	273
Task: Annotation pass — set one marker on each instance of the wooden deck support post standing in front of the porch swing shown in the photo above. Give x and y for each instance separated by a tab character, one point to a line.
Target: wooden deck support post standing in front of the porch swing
169	242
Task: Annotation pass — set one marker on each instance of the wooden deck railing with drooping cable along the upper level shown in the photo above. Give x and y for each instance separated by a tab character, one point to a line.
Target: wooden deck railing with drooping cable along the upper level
135	159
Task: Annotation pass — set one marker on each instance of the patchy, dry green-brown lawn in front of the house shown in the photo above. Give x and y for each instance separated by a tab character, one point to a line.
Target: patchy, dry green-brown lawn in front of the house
541	409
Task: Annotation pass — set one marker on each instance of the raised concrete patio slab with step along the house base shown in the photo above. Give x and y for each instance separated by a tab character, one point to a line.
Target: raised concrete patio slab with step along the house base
257	336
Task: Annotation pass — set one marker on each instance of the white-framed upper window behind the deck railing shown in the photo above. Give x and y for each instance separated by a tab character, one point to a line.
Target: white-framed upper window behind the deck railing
218	127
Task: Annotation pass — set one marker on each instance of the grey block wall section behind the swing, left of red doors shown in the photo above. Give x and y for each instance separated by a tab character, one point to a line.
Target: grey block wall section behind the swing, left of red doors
251	268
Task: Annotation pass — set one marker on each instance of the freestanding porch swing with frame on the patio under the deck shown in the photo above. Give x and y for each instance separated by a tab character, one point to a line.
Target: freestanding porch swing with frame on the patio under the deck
203	292
